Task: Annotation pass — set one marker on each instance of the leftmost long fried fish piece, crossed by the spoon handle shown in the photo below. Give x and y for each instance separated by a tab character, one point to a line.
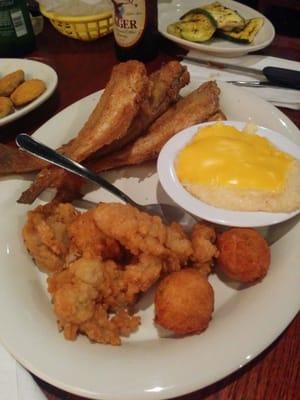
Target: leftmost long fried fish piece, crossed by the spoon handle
110	120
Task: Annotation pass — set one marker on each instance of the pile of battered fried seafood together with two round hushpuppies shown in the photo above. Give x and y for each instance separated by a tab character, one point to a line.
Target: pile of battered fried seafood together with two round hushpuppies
100	262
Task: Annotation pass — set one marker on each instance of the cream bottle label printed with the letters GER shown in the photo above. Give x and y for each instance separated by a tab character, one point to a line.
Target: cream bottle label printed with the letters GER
129	21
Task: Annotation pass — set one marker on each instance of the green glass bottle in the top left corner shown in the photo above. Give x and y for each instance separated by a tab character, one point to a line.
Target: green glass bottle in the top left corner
16	33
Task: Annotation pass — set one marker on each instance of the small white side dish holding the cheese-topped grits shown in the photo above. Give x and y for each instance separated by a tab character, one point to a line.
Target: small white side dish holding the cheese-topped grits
168	179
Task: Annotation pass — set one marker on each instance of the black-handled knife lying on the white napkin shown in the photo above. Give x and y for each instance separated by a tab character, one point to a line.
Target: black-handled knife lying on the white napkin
281	76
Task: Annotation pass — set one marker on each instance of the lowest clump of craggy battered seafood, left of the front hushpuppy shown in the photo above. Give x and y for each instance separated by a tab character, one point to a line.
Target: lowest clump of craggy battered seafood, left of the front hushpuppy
85	294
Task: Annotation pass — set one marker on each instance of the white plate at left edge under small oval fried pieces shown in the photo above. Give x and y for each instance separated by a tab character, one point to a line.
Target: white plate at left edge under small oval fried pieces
32	70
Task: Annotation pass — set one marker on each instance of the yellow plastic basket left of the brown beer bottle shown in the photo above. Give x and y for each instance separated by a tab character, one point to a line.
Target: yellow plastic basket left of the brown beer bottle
87	28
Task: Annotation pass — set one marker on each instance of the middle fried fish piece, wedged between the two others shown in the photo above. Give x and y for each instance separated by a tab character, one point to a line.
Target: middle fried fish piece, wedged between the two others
165	86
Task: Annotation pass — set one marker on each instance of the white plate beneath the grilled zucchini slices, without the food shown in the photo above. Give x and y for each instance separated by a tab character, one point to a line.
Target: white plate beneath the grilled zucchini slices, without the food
171	11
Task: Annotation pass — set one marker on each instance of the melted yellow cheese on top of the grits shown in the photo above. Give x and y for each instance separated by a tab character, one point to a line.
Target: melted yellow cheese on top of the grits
223	156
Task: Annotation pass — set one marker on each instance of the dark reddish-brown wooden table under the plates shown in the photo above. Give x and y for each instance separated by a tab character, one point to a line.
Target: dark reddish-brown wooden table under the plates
84	68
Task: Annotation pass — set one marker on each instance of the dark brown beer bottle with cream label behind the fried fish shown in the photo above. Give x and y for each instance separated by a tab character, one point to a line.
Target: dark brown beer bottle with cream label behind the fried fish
135	29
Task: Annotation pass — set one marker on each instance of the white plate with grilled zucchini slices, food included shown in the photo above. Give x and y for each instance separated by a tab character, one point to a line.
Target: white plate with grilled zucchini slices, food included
224	28
